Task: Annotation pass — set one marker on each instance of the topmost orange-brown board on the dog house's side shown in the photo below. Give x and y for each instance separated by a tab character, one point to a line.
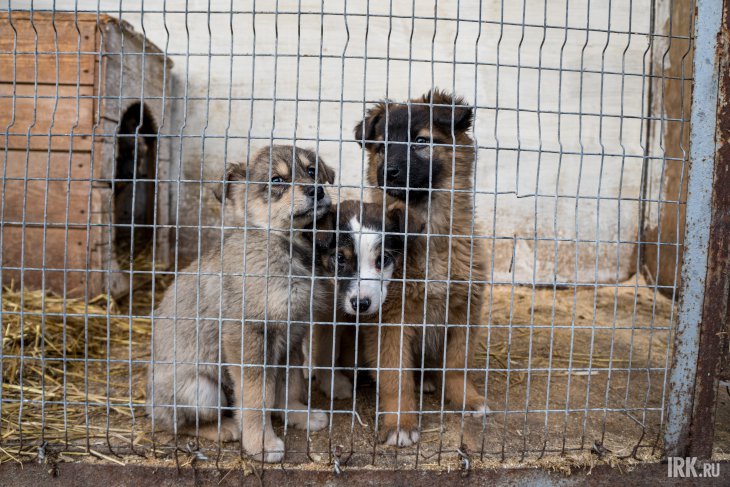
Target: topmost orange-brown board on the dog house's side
23	40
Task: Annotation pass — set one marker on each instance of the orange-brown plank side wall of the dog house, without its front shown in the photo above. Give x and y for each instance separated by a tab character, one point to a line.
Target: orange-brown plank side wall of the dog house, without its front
48	68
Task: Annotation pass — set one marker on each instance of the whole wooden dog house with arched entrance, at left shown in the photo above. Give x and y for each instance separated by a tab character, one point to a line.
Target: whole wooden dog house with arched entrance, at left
82	106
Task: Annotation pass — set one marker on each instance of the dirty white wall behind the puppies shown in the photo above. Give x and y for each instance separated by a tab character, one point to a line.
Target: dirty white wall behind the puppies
532	123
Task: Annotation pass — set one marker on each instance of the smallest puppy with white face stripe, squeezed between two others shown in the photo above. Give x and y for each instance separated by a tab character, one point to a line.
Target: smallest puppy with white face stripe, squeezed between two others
370	248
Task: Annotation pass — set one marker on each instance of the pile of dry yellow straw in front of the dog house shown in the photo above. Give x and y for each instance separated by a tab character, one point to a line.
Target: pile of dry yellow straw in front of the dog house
43	400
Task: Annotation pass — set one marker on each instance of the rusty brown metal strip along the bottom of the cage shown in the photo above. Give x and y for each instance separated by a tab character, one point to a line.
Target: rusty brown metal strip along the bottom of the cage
110	475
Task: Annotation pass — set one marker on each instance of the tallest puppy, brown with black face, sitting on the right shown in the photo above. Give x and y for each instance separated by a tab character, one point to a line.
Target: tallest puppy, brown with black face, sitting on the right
421	154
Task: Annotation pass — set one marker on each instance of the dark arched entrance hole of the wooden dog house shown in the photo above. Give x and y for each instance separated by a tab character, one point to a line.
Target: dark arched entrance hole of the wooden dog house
134	185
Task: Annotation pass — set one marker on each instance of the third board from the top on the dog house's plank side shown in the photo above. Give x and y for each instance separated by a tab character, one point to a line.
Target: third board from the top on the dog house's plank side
55	197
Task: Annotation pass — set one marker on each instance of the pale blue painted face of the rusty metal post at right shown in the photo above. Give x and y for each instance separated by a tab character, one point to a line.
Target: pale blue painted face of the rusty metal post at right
683	372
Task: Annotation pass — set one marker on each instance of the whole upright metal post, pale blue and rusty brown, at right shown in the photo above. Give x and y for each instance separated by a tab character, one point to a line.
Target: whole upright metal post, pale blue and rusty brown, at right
704	297
